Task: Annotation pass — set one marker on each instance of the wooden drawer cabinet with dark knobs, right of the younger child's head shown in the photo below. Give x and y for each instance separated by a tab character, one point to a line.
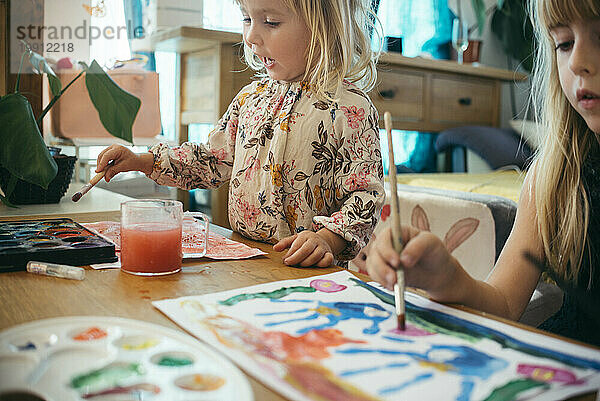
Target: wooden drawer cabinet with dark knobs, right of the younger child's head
433	95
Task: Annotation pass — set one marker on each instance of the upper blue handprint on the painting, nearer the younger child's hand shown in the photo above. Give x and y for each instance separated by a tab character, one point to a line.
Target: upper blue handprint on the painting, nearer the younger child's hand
340	311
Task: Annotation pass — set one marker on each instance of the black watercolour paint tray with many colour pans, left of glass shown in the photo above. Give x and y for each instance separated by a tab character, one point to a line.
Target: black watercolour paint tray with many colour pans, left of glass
57	241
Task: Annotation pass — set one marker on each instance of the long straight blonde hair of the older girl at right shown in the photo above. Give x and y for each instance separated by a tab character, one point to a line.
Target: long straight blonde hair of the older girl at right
561	202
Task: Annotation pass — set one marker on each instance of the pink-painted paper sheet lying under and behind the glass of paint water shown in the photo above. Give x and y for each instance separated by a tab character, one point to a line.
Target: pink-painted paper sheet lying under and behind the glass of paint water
219	247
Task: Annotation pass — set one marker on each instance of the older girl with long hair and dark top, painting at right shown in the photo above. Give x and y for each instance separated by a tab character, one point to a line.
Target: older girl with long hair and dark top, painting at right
558	217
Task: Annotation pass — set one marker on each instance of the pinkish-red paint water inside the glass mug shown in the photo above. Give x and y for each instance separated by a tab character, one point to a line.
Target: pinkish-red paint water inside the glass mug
151	248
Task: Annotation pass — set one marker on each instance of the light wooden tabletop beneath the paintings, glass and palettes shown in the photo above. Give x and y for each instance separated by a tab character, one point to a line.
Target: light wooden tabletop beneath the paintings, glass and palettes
25	297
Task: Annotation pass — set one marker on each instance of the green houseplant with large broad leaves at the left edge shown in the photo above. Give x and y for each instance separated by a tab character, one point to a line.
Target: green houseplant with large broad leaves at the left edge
23	155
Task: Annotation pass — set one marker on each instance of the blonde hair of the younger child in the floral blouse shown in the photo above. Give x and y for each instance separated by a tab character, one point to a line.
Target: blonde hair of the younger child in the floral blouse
340	44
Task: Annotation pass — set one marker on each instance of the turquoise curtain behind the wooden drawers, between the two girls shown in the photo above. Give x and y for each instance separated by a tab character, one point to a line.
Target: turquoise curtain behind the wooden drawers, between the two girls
426	28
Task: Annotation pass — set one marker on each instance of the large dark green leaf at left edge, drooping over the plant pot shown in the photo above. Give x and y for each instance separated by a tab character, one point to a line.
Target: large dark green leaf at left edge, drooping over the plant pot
23	152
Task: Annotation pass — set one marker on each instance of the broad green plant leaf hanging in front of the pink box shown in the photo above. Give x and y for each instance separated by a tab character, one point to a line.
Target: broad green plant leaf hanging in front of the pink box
117	109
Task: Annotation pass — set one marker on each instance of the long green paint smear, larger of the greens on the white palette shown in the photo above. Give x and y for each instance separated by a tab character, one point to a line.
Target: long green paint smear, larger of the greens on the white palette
108	376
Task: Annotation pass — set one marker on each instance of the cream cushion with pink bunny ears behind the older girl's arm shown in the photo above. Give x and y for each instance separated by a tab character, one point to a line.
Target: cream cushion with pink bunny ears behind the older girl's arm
466	227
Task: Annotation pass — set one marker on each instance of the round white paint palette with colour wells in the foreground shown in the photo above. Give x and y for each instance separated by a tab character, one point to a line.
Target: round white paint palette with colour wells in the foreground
107	358
